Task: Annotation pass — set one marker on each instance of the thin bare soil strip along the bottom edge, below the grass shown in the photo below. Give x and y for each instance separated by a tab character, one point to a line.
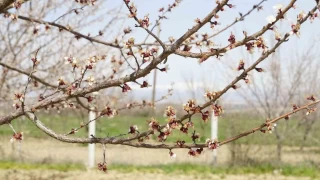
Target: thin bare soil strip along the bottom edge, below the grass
113	175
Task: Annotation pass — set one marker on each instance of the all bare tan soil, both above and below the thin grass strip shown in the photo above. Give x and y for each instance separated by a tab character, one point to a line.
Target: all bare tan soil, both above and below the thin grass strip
52	151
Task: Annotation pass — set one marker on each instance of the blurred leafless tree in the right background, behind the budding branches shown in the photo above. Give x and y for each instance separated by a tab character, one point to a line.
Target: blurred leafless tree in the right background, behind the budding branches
286	80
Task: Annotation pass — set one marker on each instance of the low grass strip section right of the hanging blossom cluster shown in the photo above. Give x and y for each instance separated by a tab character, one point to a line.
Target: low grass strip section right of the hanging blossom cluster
286	170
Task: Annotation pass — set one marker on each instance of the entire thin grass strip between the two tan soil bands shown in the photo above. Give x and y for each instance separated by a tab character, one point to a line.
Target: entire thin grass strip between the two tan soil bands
304	170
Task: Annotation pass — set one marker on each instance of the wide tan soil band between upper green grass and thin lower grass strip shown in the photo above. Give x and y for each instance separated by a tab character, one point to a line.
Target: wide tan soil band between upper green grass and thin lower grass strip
53	151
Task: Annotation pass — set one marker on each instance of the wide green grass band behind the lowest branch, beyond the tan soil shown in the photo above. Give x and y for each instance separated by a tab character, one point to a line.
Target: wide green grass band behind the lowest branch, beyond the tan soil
229	125
